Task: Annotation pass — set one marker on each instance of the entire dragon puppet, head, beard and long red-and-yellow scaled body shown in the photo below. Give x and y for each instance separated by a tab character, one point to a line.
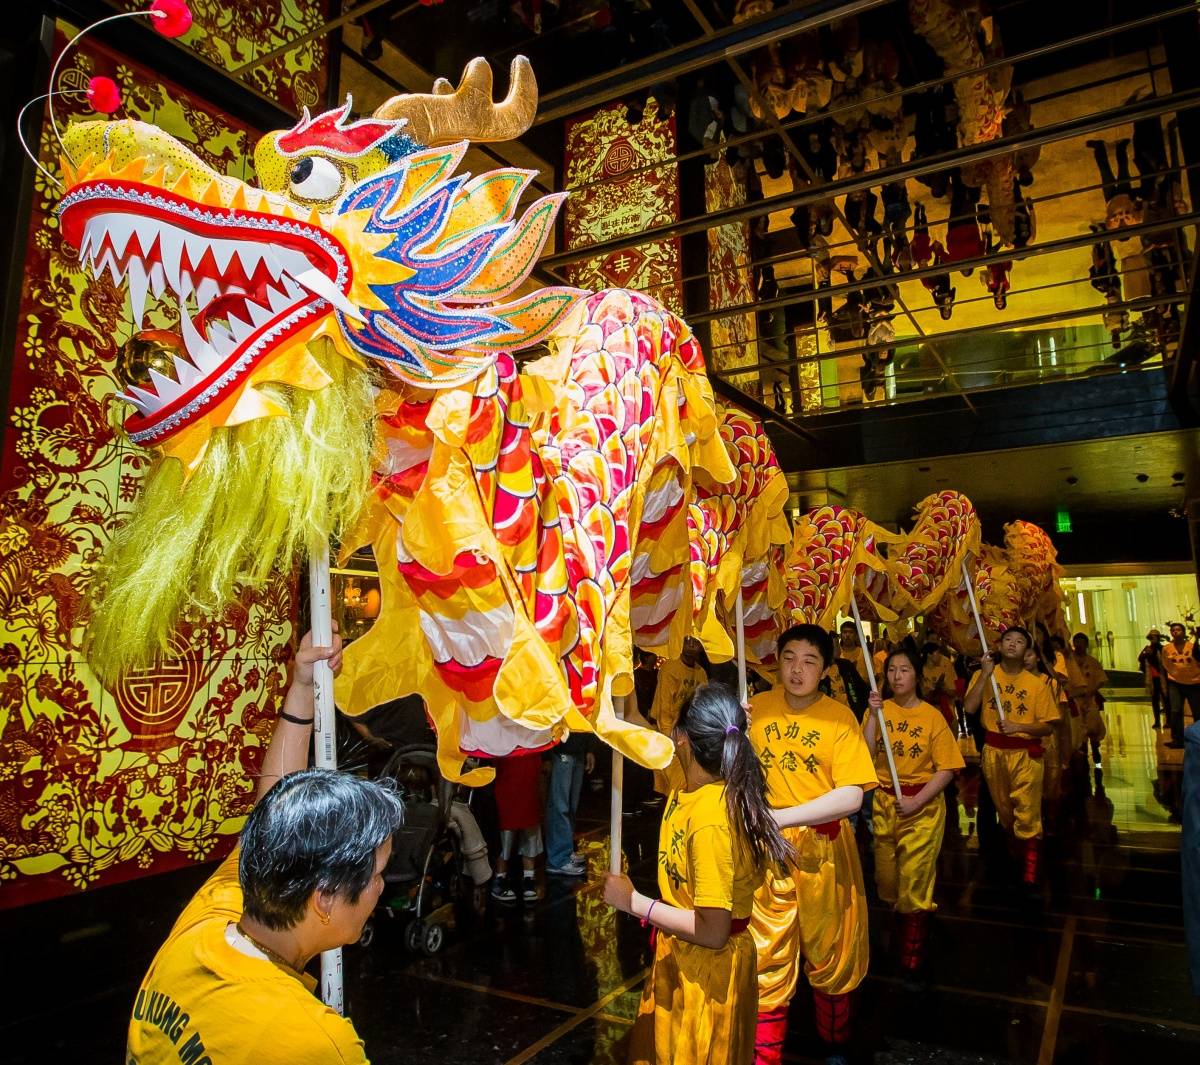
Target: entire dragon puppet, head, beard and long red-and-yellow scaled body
345	369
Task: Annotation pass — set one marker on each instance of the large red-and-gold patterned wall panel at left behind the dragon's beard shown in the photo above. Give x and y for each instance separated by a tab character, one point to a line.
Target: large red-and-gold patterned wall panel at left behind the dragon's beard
100	786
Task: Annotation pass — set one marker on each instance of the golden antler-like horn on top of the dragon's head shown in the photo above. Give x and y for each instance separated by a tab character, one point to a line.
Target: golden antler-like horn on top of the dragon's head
469	113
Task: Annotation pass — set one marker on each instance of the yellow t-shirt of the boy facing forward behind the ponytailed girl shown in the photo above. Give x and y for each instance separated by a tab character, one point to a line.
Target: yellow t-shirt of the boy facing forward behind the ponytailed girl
809	753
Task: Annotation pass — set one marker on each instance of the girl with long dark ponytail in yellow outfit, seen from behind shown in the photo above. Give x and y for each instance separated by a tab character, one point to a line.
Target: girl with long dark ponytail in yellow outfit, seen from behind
700	1002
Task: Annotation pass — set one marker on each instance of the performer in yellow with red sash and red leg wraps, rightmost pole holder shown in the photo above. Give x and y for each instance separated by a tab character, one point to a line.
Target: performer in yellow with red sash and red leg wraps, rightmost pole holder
1012	755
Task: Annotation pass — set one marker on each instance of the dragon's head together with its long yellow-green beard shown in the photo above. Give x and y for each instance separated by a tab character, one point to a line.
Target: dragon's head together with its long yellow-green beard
362	257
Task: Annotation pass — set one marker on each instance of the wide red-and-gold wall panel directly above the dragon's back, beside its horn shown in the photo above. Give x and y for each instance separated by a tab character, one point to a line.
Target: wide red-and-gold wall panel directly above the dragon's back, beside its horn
616	190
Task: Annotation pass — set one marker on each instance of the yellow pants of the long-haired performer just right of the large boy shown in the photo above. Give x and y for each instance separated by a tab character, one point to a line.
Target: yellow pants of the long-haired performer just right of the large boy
907	851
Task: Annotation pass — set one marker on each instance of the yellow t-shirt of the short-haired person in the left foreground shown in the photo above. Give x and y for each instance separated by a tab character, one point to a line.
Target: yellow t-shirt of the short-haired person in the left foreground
203	1001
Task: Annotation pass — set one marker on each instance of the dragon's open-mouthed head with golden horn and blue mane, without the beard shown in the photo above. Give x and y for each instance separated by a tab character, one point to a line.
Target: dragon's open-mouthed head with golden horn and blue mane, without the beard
361	233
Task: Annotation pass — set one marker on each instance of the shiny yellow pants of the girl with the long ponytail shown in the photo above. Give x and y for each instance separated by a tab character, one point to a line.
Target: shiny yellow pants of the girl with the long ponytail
699	1006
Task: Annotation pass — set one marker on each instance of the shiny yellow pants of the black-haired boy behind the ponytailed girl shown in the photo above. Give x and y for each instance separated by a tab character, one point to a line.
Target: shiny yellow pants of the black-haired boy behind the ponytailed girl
815	910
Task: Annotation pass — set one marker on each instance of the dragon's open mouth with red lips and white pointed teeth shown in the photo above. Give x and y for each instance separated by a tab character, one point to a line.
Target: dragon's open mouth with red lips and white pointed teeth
267	275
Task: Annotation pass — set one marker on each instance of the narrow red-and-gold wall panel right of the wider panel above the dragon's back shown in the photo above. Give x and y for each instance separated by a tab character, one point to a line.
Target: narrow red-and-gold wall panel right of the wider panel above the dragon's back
734	340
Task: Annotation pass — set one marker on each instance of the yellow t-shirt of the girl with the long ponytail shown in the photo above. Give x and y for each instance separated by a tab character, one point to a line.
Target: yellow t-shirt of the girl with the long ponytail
701	862
